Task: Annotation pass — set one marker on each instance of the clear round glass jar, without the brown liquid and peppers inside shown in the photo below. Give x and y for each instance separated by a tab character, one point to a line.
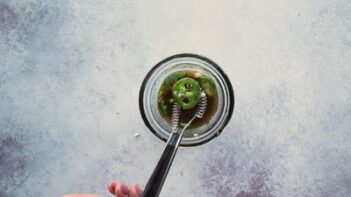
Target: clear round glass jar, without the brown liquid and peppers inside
185	62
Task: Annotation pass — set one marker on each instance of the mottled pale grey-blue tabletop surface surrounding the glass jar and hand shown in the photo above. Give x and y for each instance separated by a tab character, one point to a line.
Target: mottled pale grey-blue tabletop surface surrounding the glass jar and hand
70	76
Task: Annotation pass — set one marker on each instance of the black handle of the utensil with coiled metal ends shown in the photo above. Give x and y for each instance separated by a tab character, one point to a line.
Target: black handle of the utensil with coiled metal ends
155	183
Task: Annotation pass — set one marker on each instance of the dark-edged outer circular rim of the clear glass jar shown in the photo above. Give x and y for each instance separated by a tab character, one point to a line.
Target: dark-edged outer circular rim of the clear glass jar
228	96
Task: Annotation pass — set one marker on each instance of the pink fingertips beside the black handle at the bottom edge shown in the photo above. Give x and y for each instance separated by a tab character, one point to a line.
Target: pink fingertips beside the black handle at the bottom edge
121	190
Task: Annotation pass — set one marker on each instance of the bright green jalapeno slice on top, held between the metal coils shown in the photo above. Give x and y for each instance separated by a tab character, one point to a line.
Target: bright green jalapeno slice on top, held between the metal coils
186	92
